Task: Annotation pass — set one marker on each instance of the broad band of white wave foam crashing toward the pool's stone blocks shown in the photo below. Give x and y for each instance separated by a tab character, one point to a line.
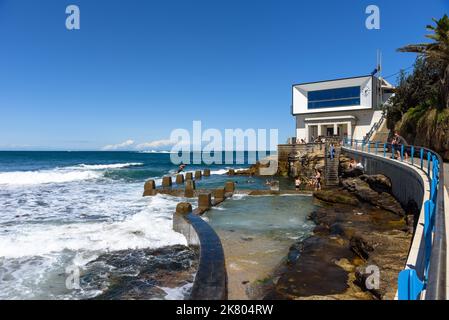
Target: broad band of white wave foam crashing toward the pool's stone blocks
149	228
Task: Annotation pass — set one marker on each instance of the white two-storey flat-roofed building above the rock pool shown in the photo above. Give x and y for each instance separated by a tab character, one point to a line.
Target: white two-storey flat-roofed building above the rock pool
347	107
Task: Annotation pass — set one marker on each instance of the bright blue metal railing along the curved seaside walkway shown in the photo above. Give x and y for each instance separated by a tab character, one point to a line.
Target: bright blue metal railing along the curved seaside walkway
410	285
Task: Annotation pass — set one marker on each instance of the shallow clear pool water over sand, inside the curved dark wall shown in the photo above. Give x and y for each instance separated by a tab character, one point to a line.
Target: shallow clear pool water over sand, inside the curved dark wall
256	233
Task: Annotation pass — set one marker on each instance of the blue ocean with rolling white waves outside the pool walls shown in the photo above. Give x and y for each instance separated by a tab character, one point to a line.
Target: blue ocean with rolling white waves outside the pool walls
62	209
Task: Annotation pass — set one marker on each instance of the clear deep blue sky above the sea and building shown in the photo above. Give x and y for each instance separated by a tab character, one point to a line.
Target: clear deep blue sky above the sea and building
139	69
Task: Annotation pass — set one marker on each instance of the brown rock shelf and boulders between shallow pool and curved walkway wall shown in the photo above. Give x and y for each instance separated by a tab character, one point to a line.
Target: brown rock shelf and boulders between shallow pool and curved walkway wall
360	228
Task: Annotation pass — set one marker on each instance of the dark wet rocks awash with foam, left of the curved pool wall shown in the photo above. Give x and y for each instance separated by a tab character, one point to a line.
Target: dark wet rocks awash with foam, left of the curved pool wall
142	274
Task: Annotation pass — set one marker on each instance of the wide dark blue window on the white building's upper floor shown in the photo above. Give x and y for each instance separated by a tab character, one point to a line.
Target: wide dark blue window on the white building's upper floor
340	97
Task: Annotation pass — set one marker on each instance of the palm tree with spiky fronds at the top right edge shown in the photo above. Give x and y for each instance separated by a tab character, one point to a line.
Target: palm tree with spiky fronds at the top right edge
438	52
